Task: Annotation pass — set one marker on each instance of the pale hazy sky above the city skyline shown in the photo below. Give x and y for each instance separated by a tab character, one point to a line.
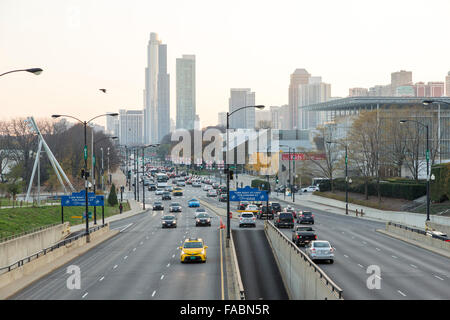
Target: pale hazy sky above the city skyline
85	45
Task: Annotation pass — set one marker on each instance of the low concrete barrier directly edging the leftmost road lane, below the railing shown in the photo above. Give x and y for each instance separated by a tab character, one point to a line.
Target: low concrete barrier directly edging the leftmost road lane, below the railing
43	262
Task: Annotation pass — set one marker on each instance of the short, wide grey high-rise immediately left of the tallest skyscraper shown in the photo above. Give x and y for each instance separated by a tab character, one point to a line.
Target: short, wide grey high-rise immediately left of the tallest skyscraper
131	127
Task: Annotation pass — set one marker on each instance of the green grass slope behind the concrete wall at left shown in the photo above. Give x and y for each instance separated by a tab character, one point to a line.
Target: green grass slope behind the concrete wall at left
19	220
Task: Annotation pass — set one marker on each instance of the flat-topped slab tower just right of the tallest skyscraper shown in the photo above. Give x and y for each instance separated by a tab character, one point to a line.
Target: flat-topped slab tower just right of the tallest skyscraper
186	108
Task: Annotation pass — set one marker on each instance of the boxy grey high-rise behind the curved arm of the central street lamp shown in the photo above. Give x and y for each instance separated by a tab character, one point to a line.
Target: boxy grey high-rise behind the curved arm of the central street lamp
244	118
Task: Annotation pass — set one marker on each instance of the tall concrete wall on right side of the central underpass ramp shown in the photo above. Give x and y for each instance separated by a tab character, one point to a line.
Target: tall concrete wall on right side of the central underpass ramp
301	276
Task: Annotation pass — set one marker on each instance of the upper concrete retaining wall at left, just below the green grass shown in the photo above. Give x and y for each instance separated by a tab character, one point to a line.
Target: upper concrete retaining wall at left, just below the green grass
19	248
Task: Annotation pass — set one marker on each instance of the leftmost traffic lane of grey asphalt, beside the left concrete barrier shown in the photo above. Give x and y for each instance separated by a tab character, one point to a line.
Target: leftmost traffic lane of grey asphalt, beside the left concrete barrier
92	264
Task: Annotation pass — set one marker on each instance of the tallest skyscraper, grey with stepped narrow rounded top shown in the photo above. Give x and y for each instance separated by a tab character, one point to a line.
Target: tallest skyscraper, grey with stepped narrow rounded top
157	92
